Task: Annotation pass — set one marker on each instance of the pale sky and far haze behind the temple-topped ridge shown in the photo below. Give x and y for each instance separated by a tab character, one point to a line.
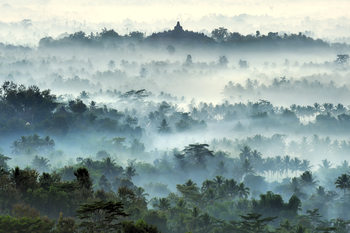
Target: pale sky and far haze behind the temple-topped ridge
321	18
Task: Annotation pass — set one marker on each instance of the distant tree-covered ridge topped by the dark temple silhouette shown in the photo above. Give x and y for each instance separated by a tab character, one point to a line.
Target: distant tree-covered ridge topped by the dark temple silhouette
220	37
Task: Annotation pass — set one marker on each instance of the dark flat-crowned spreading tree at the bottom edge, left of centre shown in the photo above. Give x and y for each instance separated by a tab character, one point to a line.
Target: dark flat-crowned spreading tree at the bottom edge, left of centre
101	216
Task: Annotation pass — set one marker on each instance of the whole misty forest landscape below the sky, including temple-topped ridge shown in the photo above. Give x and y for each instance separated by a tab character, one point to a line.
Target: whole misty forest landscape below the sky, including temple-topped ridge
177	131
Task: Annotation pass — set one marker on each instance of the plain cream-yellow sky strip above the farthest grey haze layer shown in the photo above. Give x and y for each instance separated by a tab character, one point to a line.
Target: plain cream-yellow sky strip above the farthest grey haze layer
146	10
